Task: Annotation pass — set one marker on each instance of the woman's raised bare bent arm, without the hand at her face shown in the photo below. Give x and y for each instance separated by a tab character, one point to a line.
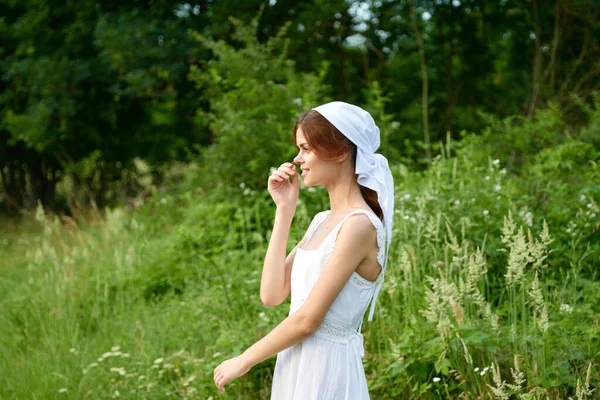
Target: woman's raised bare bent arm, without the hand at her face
277	268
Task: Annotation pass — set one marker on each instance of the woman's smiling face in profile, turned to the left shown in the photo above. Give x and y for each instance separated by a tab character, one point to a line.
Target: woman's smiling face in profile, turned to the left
314	170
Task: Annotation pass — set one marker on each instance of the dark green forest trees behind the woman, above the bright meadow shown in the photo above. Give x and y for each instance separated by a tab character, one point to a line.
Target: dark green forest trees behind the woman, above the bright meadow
88	88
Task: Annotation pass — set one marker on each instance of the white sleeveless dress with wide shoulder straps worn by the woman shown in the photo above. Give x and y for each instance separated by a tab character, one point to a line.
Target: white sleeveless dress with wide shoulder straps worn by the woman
328	364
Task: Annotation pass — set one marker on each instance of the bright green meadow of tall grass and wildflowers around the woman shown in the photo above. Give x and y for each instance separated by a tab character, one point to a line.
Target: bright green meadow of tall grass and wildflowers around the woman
491	291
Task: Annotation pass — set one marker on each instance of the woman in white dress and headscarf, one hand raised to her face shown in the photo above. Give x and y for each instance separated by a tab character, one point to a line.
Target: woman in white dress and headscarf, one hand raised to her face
335	270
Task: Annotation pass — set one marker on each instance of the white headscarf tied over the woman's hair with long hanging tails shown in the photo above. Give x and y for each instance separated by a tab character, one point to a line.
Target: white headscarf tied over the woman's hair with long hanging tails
372	168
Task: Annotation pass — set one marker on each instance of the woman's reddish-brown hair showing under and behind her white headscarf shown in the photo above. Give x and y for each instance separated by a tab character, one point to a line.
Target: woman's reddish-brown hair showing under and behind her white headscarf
329	144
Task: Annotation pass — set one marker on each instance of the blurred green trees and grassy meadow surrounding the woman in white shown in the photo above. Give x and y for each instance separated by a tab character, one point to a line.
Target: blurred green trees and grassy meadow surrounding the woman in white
136	139
